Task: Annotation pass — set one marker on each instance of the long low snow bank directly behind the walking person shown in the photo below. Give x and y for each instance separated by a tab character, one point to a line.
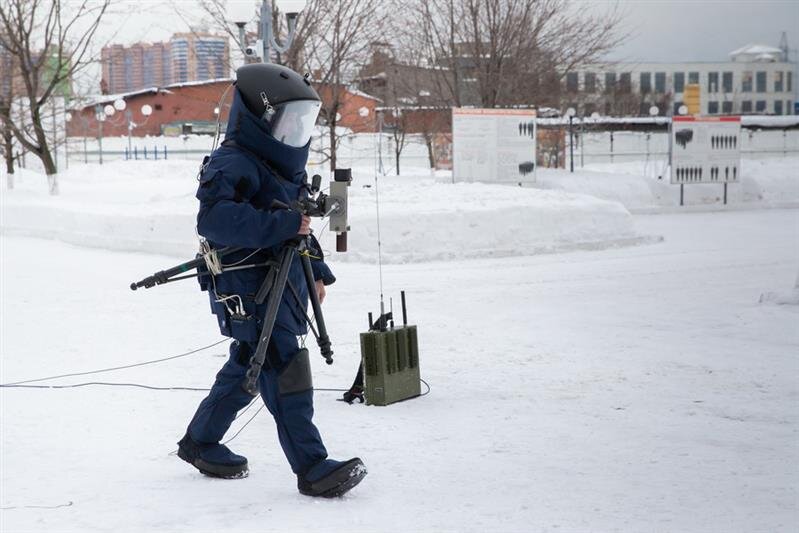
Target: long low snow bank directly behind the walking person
149	206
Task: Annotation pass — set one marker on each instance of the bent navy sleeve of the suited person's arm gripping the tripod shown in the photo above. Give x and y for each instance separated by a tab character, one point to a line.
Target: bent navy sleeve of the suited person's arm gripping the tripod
227	217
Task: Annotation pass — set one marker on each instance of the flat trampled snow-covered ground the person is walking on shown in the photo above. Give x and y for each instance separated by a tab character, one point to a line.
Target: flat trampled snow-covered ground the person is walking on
627	389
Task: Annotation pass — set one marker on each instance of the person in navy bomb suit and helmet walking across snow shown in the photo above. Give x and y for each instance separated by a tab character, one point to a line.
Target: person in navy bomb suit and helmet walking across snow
263	159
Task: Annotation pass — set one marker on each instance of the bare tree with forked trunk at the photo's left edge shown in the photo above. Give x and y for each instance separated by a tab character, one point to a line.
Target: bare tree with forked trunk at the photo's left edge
51	39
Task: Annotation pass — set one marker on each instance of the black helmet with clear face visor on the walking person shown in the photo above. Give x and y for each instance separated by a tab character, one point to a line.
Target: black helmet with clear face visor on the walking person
282	98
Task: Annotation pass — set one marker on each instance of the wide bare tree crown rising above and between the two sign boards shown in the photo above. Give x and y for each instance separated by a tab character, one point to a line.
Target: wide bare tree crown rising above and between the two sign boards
507	52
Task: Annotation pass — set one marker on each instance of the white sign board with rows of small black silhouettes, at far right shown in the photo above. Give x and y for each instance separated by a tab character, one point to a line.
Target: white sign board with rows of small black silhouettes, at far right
705	149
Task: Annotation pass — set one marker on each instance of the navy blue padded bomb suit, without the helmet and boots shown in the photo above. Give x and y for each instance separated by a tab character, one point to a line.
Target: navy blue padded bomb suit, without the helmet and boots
237	187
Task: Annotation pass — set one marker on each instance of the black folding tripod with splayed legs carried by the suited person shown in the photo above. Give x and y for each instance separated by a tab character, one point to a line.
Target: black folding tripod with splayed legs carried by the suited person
271	291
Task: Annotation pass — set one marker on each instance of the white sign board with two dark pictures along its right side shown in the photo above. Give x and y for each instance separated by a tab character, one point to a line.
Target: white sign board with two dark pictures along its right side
493	145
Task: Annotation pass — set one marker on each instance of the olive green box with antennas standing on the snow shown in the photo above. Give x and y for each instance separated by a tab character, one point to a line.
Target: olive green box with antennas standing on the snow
390	365
